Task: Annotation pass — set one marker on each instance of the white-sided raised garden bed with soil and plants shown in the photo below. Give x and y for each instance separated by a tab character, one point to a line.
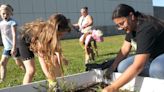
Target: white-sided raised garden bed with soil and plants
92	81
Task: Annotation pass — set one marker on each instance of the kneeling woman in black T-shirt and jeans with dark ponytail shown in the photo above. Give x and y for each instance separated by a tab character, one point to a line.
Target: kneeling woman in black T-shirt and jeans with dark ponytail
145	33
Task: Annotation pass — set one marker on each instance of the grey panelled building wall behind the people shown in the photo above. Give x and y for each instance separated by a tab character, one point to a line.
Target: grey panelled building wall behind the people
101	10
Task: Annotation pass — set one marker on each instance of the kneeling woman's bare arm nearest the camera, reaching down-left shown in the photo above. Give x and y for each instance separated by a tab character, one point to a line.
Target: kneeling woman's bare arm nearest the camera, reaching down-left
132	71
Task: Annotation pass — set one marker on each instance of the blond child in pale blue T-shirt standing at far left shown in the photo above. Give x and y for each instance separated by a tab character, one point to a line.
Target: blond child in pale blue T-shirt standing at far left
9	37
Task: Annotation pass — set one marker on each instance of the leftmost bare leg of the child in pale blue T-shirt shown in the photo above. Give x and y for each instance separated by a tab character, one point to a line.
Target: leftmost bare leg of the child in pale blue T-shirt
3	68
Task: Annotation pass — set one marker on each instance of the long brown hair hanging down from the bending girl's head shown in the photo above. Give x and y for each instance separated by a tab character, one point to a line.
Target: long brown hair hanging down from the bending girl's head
44	38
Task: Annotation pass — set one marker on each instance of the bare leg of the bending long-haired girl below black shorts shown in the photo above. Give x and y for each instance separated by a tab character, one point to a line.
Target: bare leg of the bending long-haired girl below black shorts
30	70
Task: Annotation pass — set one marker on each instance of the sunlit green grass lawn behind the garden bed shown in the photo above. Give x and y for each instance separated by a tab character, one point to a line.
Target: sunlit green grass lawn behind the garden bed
73	52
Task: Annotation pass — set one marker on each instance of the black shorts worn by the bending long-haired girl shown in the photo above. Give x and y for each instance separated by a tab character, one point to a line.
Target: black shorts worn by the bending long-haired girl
24	50
